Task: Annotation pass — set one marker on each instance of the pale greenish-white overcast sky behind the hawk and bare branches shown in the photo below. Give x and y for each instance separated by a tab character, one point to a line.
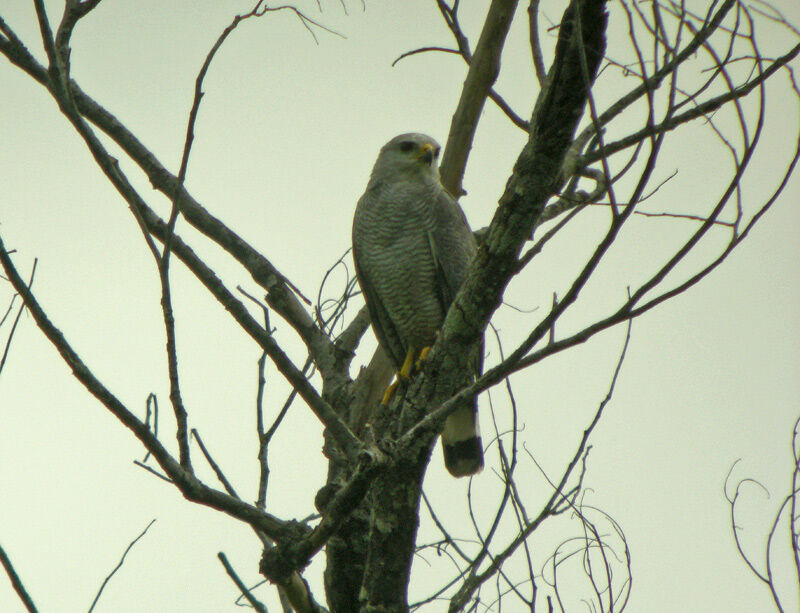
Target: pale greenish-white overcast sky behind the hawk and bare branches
287	133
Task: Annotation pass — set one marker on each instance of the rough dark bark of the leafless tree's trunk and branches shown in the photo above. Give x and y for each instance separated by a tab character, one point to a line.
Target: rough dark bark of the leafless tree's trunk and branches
377	456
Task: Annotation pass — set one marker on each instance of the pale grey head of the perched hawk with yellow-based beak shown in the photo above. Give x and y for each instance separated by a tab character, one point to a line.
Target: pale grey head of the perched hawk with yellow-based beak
410	157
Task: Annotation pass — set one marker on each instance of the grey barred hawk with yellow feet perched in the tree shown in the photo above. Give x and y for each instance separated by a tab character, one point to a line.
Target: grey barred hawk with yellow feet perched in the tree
412	247
